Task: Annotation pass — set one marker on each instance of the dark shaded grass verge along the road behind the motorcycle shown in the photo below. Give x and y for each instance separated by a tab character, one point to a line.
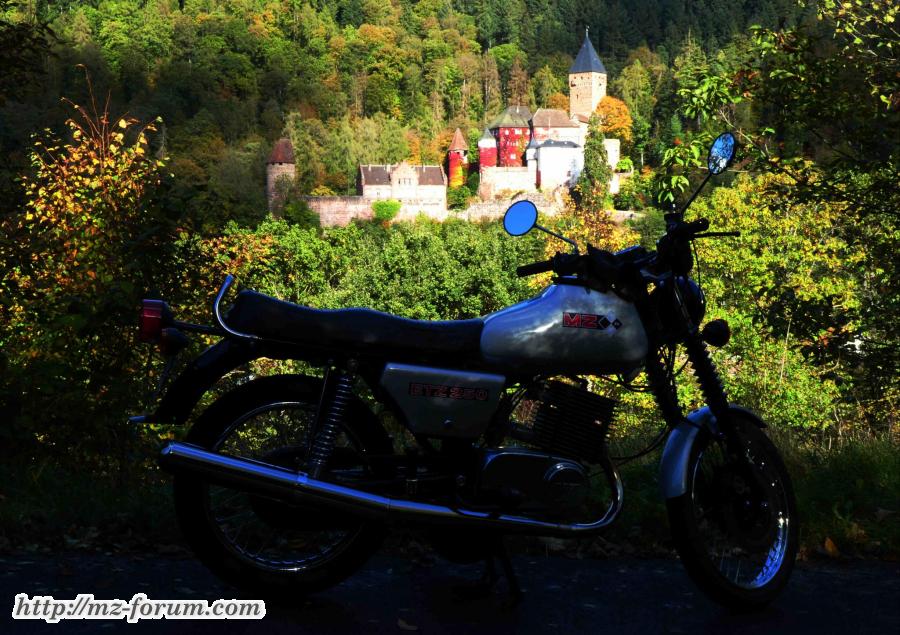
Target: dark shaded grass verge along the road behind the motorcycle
848	494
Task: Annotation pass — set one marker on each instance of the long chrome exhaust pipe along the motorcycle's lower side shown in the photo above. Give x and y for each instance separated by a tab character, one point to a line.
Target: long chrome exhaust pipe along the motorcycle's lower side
265	479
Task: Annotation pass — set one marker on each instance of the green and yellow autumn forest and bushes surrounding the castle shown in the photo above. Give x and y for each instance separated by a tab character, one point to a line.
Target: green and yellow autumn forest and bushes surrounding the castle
133	140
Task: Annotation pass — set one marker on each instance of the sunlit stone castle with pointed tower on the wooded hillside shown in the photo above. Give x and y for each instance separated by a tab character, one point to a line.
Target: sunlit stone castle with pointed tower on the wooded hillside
519	152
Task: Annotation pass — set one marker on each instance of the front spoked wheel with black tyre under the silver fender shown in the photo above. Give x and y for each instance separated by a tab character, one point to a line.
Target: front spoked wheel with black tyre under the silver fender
736	526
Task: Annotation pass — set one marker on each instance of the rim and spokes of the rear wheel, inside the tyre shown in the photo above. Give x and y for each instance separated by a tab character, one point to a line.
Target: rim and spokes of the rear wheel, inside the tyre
235	516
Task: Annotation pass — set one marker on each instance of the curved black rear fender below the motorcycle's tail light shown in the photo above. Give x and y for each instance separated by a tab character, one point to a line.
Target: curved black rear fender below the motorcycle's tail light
200	376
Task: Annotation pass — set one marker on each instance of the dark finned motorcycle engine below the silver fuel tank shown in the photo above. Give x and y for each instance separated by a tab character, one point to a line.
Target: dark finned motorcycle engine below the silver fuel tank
569	427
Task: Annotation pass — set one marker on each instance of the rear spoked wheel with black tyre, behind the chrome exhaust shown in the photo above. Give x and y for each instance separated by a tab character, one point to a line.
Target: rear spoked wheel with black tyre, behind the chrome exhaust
260	544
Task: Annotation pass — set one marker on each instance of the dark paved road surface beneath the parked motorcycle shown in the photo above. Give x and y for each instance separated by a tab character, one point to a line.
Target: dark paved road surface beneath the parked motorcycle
392	595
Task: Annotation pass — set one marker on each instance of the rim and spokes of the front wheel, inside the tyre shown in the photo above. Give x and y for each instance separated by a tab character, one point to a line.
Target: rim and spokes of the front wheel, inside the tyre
741	509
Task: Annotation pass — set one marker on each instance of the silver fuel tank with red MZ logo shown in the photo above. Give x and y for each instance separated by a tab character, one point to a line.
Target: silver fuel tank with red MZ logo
566	329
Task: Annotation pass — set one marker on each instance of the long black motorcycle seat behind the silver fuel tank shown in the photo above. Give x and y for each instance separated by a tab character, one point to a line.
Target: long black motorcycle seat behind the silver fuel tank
364	330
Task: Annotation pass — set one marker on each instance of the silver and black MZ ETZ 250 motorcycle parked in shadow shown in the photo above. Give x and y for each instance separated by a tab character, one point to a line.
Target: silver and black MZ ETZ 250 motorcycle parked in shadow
286	484
